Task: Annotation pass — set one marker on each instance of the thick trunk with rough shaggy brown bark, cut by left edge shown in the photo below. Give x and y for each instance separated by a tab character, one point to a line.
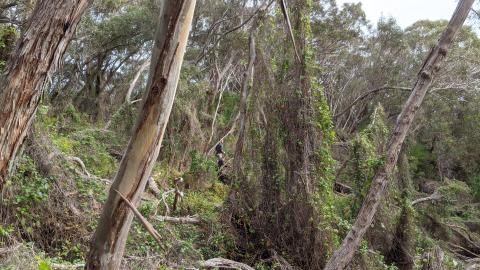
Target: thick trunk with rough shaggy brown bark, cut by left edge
37	55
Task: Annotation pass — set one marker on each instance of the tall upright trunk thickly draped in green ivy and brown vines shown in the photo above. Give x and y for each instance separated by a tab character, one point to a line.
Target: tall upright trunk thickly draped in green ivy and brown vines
306	130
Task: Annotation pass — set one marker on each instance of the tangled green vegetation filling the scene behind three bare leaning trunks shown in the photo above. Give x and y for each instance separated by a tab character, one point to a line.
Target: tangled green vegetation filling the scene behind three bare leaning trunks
318	117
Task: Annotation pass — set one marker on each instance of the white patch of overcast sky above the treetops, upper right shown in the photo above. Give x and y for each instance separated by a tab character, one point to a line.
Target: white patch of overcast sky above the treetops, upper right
406	12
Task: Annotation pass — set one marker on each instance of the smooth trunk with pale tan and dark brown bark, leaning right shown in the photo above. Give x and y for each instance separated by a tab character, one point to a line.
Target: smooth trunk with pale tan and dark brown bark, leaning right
108	243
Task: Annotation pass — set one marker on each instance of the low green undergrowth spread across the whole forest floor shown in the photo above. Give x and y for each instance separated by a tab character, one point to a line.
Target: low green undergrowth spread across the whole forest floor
49	221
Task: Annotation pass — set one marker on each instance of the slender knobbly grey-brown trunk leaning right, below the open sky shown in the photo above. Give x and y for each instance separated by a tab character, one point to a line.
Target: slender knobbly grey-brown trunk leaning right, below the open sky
343	255
